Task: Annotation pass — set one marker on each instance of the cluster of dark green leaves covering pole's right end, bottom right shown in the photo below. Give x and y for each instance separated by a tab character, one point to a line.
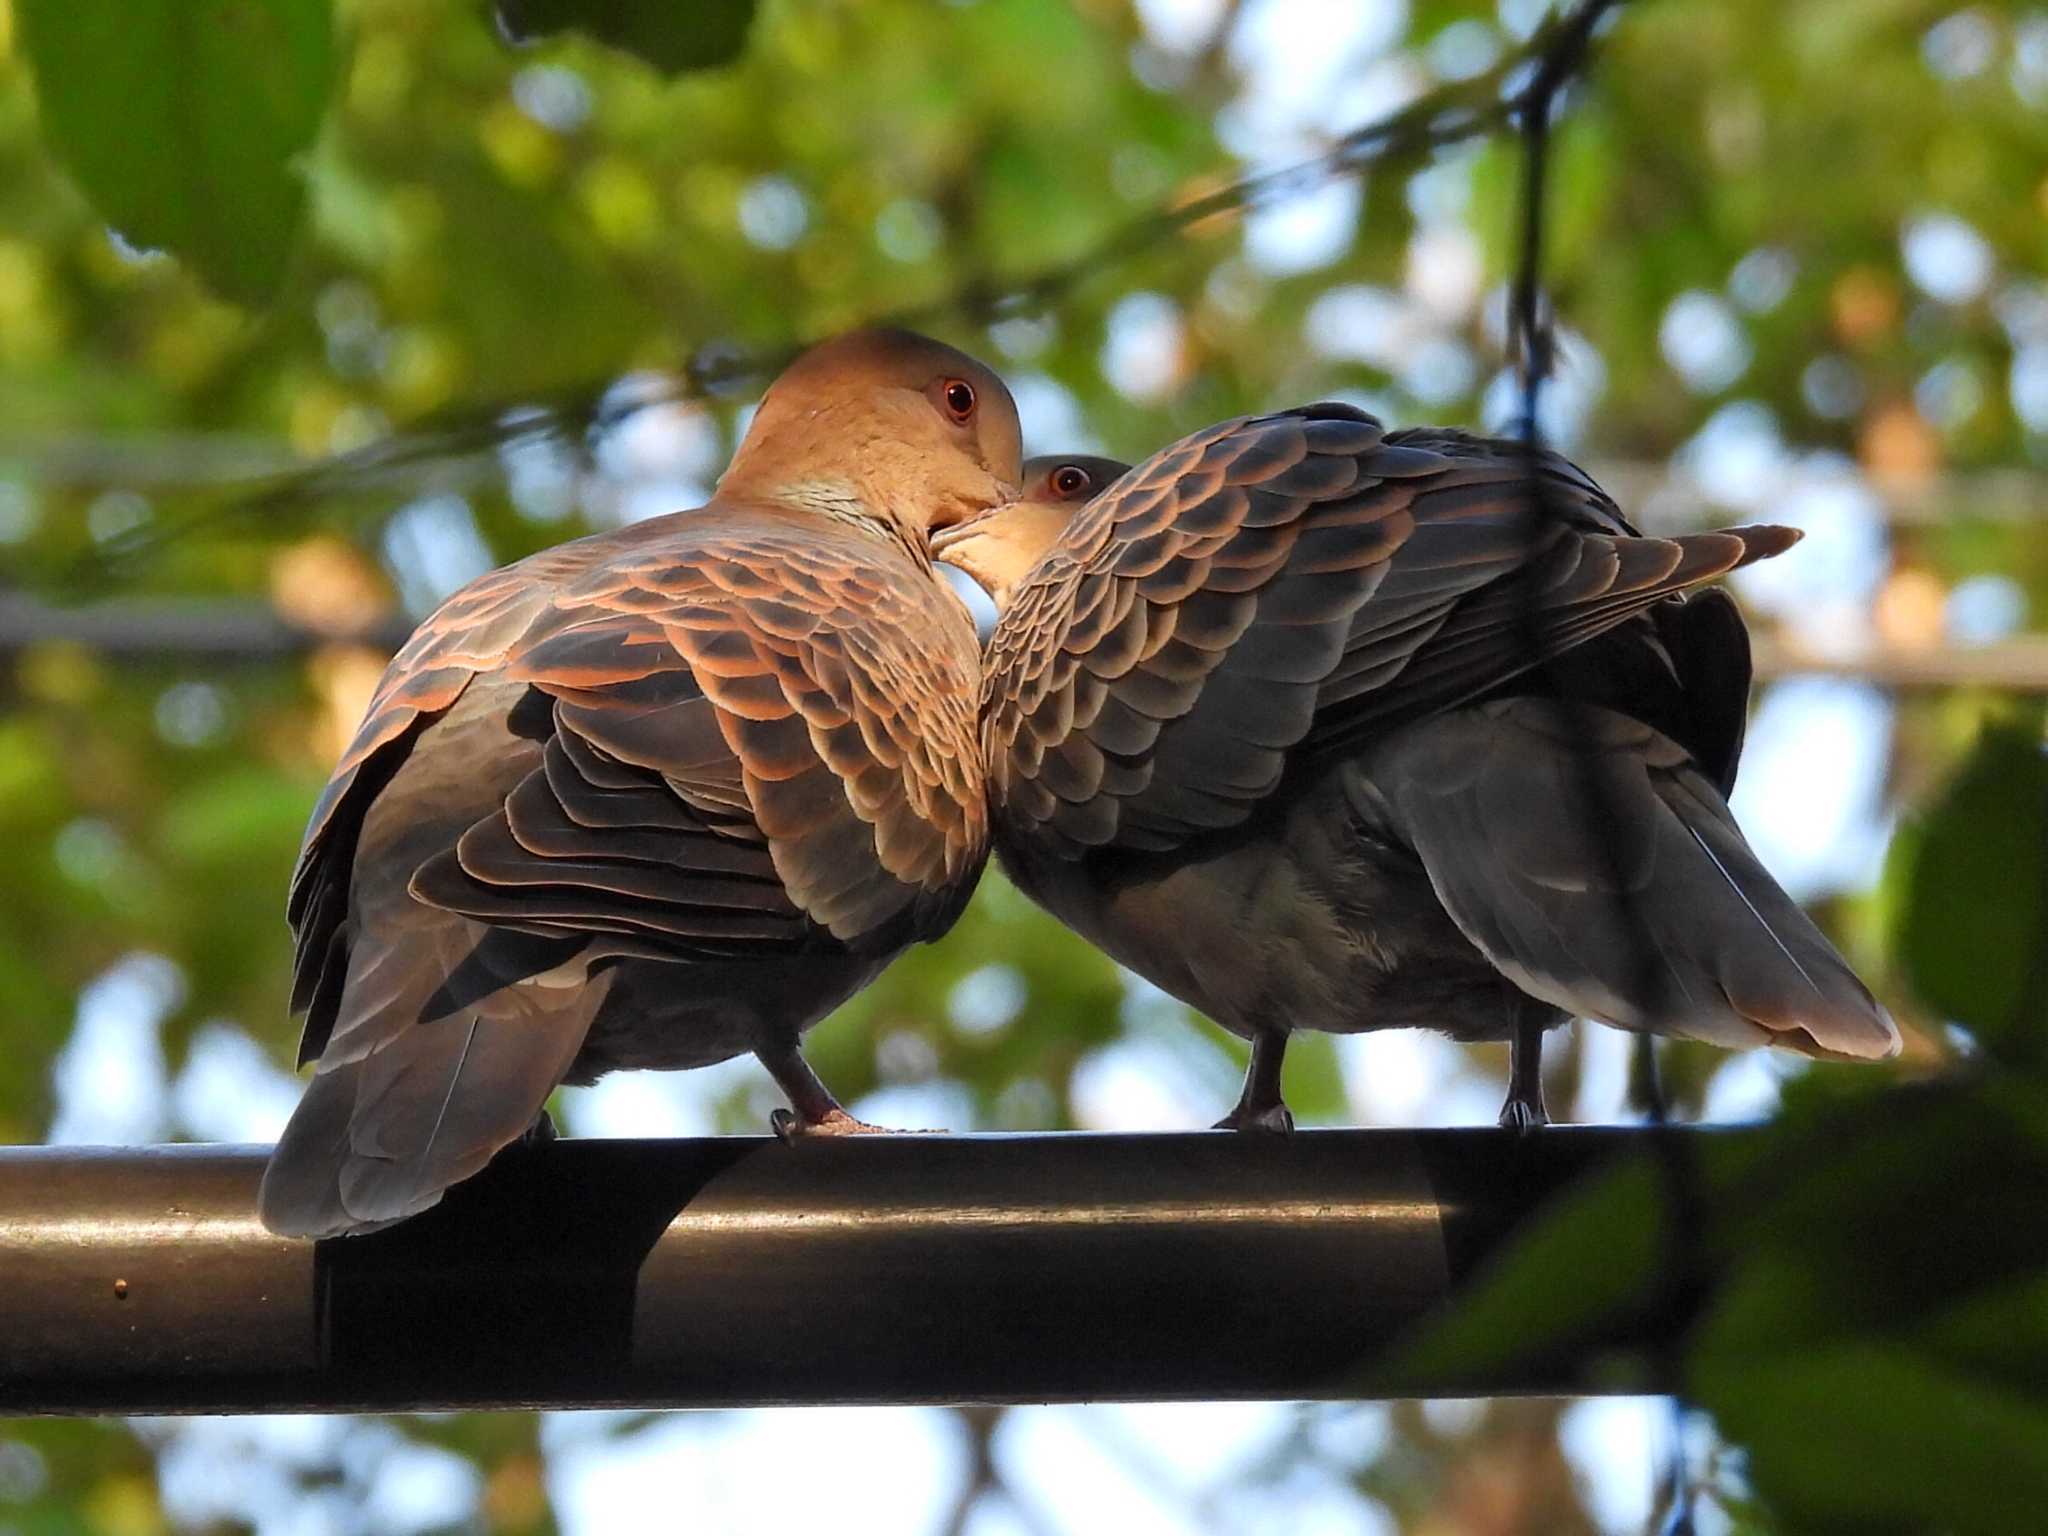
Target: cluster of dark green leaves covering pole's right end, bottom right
1875	1338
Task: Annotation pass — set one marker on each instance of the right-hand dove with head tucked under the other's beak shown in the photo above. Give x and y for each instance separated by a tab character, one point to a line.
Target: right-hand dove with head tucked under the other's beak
1269	720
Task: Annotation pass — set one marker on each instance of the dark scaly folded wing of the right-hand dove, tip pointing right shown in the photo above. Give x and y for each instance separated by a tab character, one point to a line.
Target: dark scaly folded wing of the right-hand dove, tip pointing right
1289	585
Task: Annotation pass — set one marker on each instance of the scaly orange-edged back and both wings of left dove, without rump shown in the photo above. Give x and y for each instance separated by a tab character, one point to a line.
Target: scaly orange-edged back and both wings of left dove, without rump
755	738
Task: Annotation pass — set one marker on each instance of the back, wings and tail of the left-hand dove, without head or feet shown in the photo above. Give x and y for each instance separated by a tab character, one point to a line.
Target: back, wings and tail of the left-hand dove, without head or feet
697	742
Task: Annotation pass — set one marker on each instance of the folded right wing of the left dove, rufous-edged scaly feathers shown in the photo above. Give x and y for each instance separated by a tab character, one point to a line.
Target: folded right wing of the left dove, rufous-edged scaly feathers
765	742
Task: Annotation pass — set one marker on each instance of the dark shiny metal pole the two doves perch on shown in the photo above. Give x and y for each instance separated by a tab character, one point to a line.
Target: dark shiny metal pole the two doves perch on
740	1273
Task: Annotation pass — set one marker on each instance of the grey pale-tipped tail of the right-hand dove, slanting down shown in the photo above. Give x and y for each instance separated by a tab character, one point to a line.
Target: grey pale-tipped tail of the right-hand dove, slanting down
1601	871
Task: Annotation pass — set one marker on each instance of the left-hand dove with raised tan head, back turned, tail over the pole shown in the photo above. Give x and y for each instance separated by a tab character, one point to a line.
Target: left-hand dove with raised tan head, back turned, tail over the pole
652	798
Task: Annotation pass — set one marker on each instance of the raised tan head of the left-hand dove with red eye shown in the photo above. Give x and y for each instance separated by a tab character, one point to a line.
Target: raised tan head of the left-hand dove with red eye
884	427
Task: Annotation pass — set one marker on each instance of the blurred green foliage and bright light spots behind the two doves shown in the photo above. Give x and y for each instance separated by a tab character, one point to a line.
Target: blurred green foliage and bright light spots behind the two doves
1797	263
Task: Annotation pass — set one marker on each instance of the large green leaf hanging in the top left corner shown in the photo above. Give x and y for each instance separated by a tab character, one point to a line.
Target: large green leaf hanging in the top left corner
181	122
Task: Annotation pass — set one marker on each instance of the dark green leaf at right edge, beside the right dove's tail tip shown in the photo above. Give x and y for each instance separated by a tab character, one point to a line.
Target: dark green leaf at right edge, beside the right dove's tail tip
1975	912
